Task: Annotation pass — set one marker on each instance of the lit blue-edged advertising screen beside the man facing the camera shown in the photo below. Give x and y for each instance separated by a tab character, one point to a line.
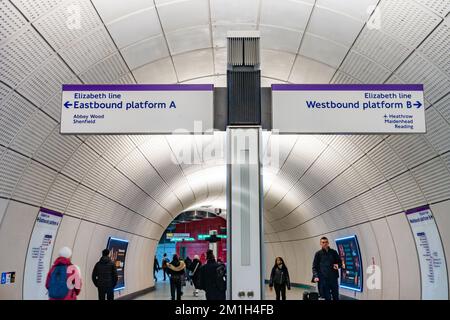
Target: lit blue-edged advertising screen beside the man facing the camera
351	271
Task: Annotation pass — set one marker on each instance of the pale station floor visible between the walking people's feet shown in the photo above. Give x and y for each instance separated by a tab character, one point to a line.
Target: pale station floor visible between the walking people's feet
162	292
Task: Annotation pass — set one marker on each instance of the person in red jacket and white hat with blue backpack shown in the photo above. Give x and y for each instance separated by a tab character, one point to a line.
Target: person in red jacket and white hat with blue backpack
64	278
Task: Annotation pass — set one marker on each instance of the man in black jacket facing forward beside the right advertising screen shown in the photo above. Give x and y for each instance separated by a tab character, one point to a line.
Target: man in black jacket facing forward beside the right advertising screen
325	269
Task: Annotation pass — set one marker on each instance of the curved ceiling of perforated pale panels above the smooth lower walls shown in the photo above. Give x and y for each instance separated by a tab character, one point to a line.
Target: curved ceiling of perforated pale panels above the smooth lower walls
321	183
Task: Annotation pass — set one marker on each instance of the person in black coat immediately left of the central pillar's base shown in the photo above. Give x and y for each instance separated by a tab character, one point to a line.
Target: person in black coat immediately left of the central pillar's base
213	278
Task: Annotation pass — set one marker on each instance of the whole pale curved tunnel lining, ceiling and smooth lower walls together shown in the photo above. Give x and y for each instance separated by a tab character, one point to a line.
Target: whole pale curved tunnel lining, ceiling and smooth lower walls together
125	186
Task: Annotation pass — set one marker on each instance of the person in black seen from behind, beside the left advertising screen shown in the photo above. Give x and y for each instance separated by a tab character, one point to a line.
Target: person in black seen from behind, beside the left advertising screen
105	276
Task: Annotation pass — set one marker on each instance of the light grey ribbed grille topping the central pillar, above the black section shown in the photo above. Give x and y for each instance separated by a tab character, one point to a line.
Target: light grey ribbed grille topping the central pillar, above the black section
243	51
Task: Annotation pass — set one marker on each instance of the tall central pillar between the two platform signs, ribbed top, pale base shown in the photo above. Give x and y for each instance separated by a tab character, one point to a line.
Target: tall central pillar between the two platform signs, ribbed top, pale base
245	280
